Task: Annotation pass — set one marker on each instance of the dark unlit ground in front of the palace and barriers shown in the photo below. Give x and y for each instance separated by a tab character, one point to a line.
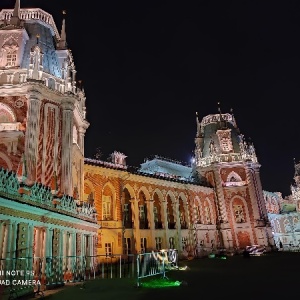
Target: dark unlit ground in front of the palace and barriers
273	276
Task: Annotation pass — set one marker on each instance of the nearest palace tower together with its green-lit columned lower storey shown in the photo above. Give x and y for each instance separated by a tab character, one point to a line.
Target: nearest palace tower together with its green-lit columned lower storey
42	130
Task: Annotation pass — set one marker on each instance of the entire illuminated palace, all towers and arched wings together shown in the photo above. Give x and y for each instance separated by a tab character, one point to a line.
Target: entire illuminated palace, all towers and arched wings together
56	203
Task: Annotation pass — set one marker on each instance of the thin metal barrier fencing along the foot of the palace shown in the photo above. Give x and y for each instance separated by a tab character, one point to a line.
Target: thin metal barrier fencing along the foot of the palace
42	273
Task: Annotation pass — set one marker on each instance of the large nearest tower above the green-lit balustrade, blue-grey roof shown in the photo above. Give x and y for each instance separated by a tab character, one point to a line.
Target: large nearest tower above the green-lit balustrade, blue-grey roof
42	111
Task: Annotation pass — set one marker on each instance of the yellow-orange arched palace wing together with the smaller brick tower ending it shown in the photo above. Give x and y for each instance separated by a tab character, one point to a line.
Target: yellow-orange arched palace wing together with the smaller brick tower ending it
217	203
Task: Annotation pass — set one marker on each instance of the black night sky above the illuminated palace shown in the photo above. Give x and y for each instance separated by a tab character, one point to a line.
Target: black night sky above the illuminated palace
148	66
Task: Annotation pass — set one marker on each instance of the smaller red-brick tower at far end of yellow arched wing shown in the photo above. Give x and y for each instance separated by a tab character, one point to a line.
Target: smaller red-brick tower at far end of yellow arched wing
230	165
